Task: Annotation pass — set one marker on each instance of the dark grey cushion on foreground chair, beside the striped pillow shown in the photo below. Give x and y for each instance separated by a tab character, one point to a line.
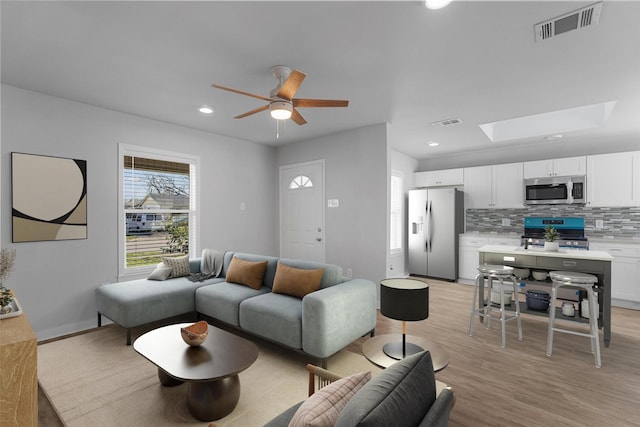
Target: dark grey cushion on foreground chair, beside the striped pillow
384	401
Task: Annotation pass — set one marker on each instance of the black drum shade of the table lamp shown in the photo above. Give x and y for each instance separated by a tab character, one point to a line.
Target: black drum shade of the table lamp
404	299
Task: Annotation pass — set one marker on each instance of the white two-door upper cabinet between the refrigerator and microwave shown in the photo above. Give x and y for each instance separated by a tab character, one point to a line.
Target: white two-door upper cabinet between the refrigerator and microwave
496	186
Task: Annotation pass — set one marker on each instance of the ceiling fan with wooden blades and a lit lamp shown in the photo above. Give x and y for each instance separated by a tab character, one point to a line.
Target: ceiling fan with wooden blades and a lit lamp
281	103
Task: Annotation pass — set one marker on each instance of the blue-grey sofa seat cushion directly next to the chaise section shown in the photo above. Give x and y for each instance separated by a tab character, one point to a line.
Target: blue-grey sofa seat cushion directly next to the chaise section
222	300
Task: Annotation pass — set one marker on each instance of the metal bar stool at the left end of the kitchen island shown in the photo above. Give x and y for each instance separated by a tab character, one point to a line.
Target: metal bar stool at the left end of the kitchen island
500	273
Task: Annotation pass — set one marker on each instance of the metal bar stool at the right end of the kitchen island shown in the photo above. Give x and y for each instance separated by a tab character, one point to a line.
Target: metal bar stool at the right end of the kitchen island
577	280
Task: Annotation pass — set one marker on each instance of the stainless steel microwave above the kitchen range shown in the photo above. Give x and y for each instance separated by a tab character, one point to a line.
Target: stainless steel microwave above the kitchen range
556	190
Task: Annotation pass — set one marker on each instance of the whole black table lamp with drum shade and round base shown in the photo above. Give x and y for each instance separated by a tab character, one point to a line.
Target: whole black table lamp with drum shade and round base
406	300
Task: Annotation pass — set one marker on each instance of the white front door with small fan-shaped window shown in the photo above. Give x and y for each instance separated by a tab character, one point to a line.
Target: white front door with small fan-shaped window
302	211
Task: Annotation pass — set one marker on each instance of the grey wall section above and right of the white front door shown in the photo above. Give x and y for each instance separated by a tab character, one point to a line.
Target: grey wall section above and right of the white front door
357	174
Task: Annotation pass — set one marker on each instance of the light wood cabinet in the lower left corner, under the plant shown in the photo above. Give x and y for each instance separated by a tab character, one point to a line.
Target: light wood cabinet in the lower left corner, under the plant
18	373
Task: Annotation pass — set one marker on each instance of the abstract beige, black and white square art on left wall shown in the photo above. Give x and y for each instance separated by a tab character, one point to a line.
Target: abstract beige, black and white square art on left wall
49	196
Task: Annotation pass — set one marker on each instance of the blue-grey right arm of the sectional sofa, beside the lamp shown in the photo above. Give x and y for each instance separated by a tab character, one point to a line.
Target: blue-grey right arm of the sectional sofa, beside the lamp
334	317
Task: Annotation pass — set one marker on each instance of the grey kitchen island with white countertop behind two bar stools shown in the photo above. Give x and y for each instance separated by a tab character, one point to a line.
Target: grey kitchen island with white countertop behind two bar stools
597	263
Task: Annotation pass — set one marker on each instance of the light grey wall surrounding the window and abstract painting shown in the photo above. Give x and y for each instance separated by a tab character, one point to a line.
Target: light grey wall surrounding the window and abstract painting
55	281
